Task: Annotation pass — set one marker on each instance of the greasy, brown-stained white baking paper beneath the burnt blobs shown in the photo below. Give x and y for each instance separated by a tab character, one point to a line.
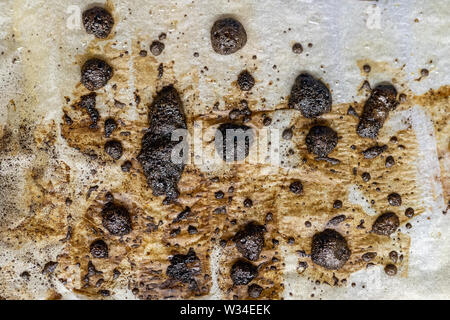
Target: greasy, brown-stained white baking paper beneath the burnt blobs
44	161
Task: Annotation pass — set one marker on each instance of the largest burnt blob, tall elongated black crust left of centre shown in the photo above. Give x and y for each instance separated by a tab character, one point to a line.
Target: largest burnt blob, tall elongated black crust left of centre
166	115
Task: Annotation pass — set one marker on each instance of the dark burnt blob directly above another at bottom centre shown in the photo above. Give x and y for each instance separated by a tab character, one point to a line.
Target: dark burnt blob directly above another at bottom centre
250	241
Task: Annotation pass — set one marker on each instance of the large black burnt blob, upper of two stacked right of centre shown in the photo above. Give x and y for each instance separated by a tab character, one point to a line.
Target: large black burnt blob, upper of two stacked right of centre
310	96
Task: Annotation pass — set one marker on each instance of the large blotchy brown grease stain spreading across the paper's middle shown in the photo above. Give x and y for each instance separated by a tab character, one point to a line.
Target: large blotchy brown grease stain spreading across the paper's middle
142	256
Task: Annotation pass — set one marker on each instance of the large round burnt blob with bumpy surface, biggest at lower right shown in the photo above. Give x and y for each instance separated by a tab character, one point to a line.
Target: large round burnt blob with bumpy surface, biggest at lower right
329	249
